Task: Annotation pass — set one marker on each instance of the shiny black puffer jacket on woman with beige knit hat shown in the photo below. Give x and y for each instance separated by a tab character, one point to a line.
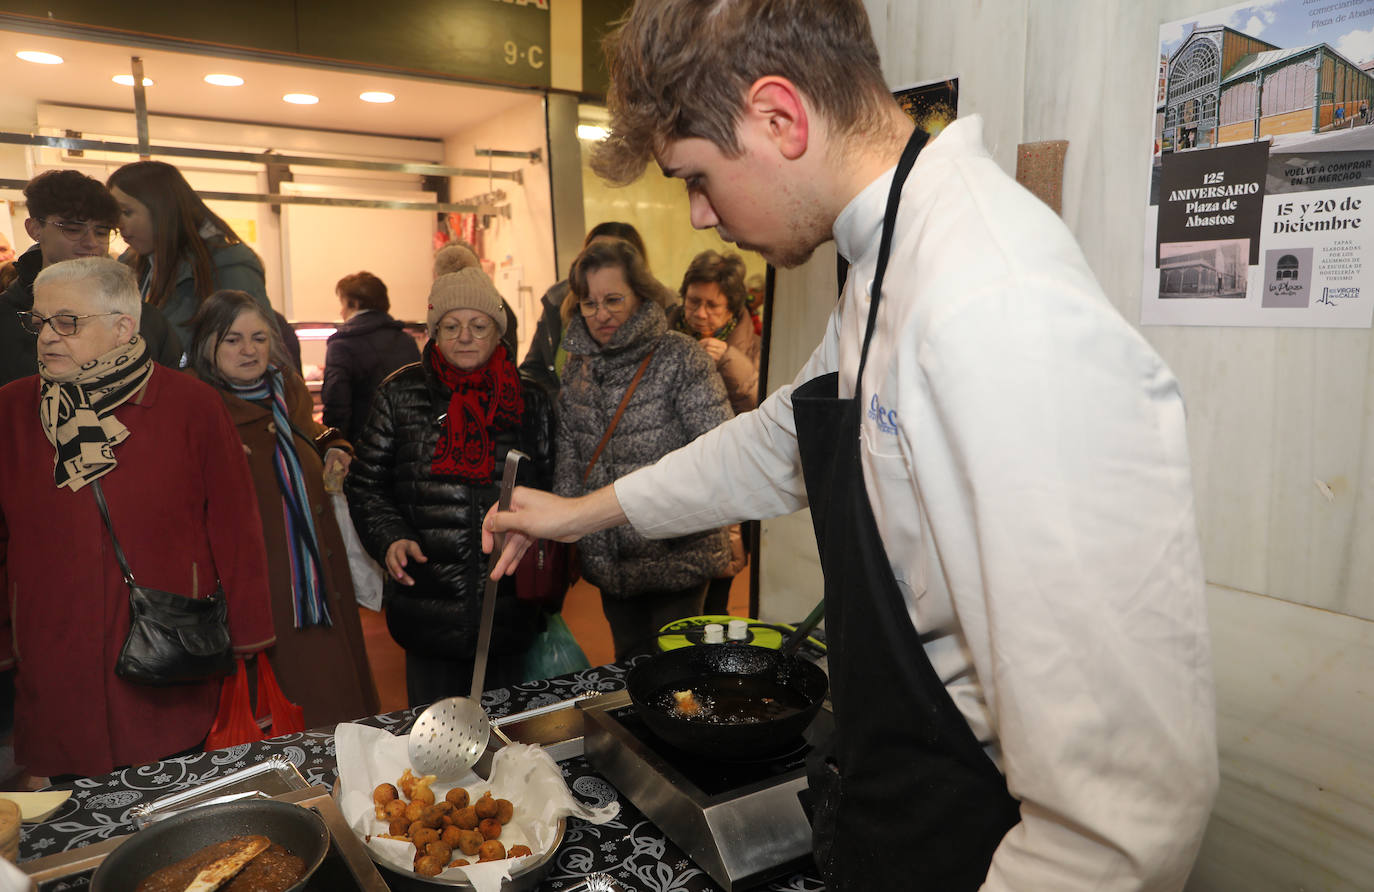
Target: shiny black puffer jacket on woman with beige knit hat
394	495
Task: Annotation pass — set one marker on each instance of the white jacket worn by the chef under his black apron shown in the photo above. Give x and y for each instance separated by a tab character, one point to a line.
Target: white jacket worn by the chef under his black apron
1024	451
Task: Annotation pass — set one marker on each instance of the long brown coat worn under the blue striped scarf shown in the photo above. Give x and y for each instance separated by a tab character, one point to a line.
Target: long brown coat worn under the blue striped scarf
322	669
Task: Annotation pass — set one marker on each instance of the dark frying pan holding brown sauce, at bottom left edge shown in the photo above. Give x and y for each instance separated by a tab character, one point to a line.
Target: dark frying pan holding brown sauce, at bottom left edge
168	842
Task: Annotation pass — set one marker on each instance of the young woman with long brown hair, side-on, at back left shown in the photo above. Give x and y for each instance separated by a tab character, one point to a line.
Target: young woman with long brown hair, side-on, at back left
179	249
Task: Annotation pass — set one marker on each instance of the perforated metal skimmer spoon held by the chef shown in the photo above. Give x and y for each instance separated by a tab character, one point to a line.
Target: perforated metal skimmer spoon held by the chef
451	736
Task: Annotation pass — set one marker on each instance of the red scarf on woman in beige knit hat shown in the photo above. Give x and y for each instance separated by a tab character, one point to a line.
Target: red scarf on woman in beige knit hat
483	402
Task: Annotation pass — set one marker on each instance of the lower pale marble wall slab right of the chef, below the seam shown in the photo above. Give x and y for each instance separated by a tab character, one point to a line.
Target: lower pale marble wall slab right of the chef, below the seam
1295	718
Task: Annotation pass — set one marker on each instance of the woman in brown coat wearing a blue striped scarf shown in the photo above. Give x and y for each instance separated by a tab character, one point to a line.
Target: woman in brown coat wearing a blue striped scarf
319	658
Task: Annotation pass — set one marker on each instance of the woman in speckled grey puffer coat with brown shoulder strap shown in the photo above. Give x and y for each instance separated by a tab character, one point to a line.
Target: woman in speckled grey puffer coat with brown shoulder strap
618	329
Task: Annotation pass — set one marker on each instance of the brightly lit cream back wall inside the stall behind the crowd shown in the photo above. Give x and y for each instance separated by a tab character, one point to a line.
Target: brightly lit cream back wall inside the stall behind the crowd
329	243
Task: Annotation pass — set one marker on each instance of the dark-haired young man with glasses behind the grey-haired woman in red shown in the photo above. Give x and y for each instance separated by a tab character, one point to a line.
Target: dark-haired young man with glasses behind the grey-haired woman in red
71	216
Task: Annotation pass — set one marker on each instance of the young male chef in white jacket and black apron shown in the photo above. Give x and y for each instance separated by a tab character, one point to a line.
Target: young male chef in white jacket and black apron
995	462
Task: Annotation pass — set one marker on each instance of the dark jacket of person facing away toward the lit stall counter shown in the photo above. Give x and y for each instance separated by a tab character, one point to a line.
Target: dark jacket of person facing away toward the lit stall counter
358	358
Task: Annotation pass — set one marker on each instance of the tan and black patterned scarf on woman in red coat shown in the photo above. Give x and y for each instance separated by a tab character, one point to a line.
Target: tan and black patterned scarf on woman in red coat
78	412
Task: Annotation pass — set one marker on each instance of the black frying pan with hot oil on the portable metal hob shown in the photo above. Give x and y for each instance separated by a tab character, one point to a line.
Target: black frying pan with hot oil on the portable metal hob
686	667
